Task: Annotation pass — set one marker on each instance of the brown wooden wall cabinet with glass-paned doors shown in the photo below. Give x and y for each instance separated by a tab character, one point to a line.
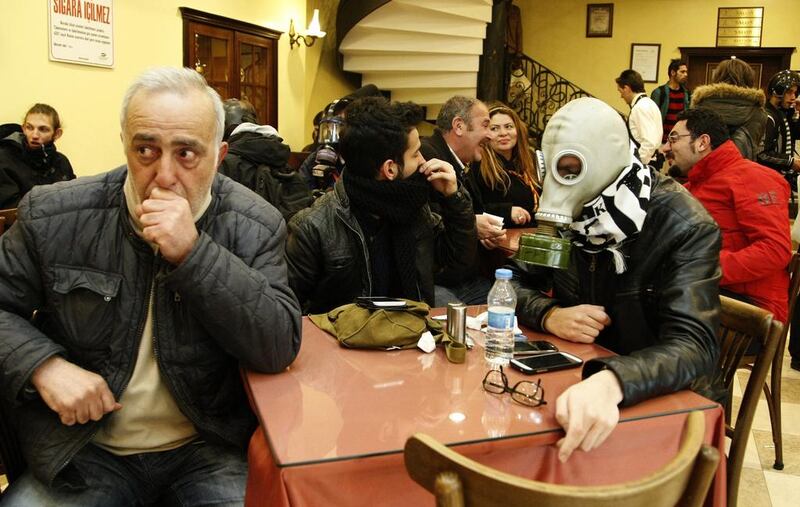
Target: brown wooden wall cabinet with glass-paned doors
238	59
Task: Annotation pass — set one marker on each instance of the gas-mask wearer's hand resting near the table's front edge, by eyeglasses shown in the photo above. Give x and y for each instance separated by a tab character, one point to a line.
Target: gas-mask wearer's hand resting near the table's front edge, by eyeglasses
588	412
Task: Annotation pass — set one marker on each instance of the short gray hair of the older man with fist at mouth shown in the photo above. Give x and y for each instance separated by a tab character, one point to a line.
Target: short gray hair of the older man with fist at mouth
173	79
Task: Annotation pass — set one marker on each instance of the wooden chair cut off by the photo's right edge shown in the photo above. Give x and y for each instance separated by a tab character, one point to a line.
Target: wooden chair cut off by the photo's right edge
772	389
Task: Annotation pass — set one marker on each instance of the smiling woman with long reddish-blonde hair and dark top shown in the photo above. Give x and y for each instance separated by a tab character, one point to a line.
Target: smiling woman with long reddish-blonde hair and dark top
506	177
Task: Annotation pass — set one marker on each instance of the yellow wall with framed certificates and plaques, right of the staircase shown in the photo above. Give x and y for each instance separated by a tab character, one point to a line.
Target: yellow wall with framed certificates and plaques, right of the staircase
554	34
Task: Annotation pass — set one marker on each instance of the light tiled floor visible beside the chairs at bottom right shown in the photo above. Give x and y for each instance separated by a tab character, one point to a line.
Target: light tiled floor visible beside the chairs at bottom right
761	485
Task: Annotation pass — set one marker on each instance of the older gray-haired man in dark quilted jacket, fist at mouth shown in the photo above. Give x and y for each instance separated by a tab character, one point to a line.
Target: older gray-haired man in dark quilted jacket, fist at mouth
152	285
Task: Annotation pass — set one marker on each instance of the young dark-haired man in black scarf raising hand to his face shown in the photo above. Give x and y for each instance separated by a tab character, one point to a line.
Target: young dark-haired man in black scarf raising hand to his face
374	234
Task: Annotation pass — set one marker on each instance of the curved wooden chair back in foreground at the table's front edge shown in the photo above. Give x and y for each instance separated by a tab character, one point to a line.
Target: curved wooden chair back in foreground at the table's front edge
459	481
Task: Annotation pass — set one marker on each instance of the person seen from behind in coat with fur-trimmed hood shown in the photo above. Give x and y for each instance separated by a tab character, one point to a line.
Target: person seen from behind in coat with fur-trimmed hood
734	96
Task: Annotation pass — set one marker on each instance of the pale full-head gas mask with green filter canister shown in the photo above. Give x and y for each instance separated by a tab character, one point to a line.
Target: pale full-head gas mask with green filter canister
585	147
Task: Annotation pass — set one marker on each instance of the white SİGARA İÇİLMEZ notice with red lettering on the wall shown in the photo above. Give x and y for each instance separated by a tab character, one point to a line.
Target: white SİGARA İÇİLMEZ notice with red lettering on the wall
82	32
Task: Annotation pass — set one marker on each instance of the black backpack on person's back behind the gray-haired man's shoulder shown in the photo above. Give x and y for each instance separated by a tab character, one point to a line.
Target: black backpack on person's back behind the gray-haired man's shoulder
284	188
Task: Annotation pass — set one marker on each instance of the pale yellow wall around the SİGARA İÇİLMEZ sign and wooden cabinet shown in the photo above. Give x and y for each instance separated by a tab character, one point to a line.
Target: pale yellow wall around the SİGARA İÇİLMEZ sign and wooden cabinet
147	33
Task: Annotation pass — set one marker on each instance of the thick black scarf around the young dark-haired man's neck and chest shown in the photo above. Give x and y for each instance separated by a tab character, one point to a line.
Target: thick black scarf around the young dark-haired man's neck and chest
387	211
